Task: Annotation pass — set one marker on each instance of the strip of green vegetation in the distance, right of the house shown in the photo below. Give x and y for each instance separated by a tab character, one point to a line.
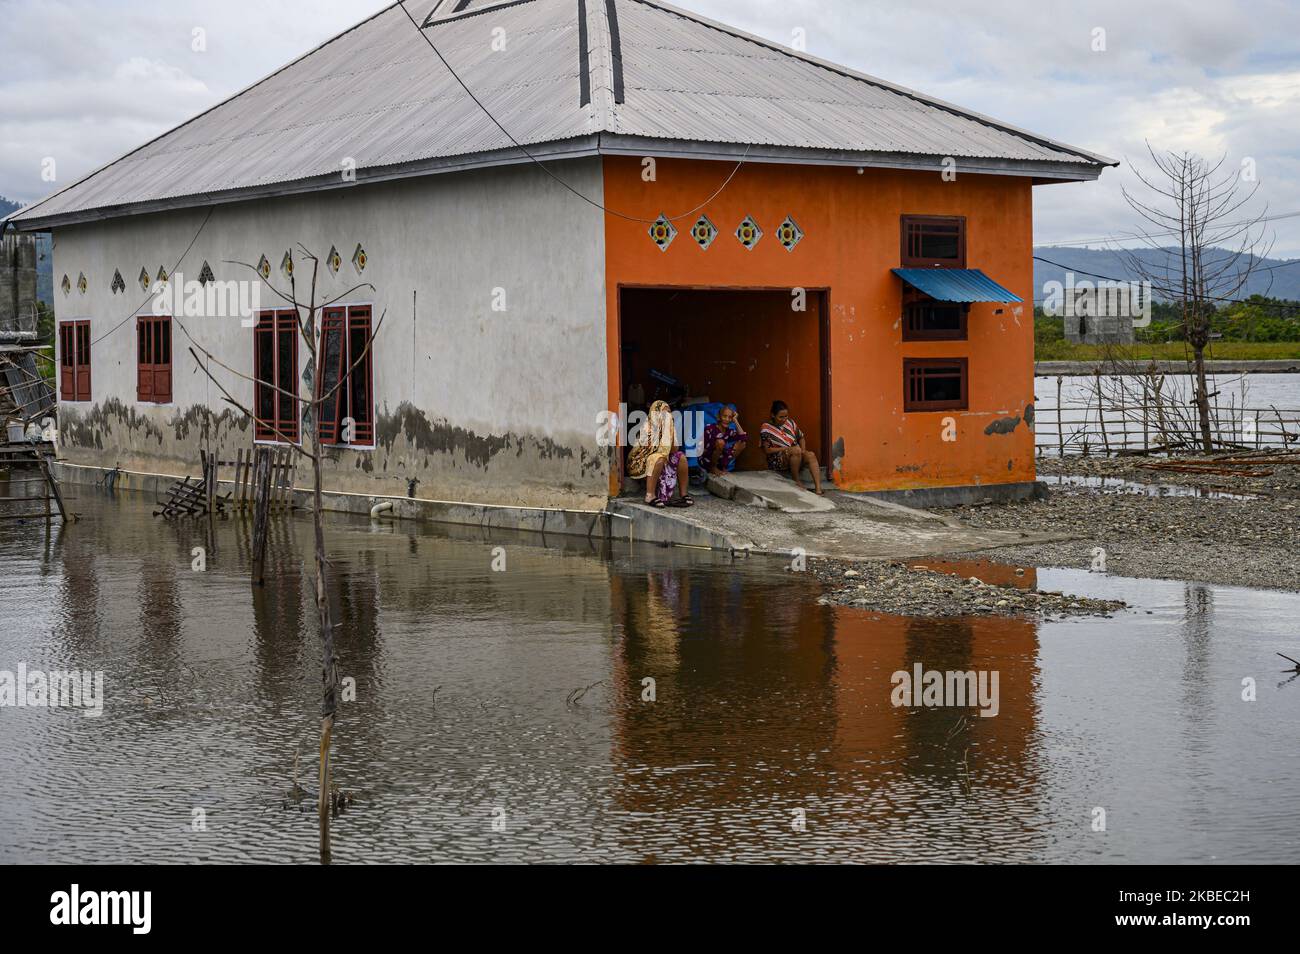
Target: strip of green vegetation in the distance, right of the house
1256	329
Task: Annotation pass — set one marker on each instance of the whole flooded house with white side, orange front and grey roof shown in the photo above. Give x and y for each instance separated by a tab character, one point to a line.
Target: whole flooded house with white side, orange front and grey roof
557	206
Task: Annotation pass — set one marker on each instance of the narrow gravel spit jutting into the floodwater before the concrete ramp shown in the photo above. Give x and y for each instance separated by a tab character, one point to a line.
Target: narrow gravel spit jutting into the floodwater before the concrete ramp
907	591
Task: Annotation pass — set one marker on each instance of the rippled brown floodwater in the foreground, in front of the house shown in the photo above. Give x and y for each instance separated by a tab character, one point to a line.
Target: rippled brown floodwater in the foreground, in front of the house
772	714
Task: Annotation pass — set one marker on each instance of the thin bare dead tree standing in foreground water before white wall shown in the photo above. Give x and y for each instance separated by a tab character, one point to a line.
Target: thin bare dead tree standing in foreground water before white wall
311	326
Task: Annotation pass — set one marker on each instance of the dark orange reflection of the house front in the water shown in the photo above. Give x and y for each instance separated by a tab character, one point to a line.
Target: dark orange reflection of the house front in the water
794	700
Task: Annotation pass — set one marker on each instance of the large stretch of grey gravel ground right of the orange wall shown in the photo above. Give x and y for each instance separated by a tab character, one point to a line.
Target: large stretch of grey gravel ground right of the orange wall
1172	527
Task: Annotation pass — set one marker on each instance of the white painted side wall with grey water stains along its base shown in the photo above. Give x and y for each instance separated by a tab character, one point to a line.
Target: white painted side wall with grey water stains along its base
480	406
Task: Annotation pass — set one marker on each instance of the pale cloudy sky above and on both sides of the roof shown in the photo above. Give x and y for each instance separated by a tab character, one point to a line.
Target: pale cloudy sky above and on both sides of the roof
85	81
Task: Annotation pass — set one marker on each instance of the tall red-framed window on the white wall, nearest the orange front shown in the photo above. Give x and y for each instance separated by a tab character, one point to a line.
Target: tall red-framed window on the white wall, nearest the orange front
348	378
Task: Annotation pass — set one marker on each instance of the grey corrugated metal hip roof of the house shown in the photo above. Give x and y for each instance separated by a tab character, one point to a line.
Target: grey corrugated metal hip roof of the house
379	97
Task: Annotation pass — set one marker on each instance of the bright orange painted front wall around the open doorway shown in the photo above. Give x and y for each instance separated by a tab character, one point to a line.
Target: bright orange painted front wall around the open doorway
852	240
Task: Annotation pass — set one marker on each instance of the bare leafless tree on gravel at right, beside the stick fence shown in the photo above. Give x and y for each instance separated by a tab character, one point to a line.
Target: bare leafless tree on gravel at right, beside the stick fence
1206	249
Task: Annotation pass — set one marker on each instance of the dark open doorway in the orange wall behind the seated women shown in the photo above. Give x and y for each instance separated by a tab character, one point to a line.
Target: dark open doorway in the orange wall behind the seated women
748	349
